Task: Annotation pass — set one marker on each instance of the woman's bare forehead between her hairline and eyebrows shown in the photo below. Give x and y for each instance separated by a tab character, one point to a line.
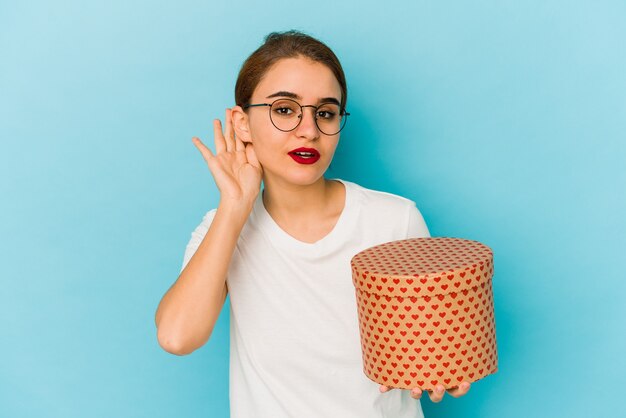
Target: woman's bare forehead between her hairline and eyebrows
309	79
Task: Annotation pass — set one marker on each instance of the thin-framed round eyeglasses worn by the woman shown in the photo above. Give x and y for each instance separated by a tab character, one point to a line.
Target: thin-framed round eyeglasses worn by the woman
286	115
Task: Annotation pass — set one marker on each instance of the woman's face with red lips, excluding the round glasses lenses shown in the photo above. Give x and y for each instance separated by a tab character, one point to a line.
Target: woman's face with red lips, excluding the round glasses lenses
308	83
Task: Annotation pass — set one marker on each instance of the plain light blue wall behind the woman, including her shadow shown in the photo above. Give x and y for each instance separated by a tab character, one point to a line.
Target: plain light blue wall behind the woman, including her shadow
503	120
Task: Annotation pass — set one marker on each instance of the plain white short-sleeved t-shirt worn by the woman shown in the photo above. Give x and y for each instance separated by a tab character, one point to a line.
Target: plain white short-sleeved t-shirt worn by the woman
295	349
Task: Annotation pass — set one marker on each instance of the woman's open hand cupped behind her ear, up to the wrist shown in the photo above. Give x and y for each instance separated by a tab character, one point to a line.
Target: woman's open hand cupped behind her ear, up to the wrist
235	167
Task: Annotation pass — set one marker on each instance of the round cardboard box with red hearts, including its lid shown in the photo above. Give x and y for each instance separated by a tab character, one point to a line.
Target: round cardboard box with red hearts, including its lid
426	314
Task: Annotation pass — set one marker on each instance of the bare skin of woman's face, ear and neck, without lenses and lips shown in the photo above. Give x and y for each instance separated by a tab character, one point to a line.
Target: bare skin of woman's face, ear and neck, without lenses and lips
297	196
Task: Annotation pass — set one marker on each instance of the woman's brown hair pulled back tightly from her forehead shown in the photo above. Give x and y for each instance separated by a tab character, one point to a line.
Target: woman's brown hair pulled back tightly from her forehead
279	45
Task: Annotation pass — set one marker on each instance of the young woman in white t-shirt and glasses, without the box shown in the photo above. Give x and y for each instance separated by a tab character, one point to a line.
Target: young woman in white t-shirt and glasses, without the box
283	252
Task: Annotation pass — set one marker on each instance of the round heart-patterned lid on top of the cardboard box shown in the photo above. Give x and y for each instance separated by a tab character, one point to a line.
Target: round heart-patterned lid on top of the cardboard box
422	267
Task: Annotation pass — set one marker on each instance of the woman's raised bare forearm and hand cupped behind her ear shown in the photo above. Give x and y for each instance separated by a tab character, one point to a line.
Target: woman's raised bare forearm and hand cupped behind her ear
187	313
